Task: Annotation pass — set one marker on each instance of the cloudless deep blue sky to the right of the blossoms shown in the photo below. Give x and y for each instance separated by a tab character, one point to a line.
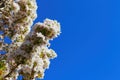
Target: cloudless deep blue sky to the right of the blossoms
89	46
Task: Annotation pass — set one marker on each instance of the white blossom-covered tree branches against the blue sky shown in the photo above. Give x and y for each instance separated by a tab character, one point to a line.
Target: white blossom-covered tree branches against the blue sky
28	53
